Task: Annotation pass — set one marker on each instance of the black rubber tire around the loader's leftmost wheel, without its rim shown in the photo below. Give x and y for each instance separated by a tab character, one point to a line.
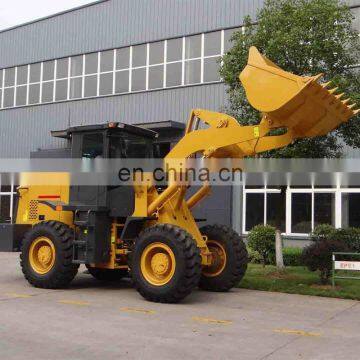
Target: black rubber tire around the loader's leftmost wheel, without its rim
63	271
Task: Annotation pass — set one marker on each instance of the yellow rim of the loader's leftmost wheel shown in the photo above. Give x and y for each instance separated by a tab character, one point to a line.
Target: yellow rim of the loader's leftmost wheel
42	255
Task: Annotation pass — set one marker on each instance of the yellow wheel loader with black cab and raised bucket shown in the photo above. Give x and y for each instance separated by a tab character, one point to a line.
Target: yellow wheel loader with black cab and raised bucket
150	233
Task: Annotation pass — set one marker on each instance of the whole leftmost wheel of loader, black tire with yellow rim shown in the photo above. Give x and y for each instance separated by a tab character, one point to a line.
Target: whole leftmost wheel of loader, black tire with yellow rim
46	255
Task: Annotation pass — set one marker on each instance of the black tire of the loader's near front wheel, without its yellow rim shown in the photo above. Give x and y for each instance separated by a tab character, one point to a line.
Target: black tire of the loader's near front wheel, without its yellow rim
188	264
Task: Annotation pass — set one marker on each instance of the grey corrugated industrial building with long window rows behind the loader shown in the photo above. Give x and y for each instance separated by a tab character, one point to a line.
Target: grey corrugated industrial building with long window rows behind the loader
145	62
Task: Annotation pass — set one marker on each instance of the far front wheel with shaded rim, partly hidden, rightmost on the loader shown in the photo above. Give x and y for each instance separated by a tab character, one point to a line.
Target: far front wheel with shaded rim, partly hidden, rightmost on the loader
229	256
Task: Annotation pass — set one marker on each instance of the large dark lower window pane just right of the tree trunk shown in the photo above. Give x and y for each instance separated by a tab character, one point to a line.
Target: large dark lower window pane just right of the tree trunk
301	213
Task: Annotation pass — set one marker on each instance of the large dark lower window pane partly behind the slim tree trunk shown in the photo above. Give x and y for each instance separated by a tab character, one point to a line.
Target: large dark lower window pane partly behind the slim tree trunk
275	210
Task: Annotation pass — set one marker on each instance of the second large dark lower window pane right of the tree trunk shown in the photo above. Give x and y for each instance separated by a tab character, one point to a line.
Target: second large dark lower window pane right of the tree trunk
324	209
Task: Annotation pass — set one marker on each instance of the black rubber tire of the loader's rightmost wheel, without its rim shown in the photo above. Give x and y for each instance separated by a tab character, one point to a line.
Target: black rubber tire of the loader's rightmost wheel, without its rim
236	254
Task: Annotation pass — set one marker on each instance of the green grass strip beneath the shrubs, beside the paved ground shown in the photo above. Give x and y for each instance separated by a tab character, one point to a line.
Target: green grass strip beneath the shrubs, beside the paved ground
297	280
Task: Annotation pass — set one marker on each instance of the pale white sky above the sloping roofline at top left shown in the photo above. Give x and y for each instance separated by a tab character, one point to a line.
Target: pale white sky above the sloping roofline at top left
16	12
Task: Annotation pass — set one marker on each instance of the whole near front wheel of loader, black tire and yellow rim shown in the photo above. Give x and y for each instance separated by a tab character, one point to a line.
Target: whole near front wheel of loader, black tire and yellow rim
166	264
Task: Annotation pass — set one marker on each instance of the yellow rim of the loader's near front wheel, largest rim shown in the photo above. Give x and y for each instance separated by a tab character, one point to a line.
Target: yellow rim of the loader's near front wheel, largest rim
158	264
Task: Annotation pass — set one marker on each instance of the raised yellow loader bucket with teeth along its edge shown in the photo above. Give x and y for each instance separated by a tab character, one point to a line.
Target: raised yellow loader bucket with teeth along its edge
301	104
